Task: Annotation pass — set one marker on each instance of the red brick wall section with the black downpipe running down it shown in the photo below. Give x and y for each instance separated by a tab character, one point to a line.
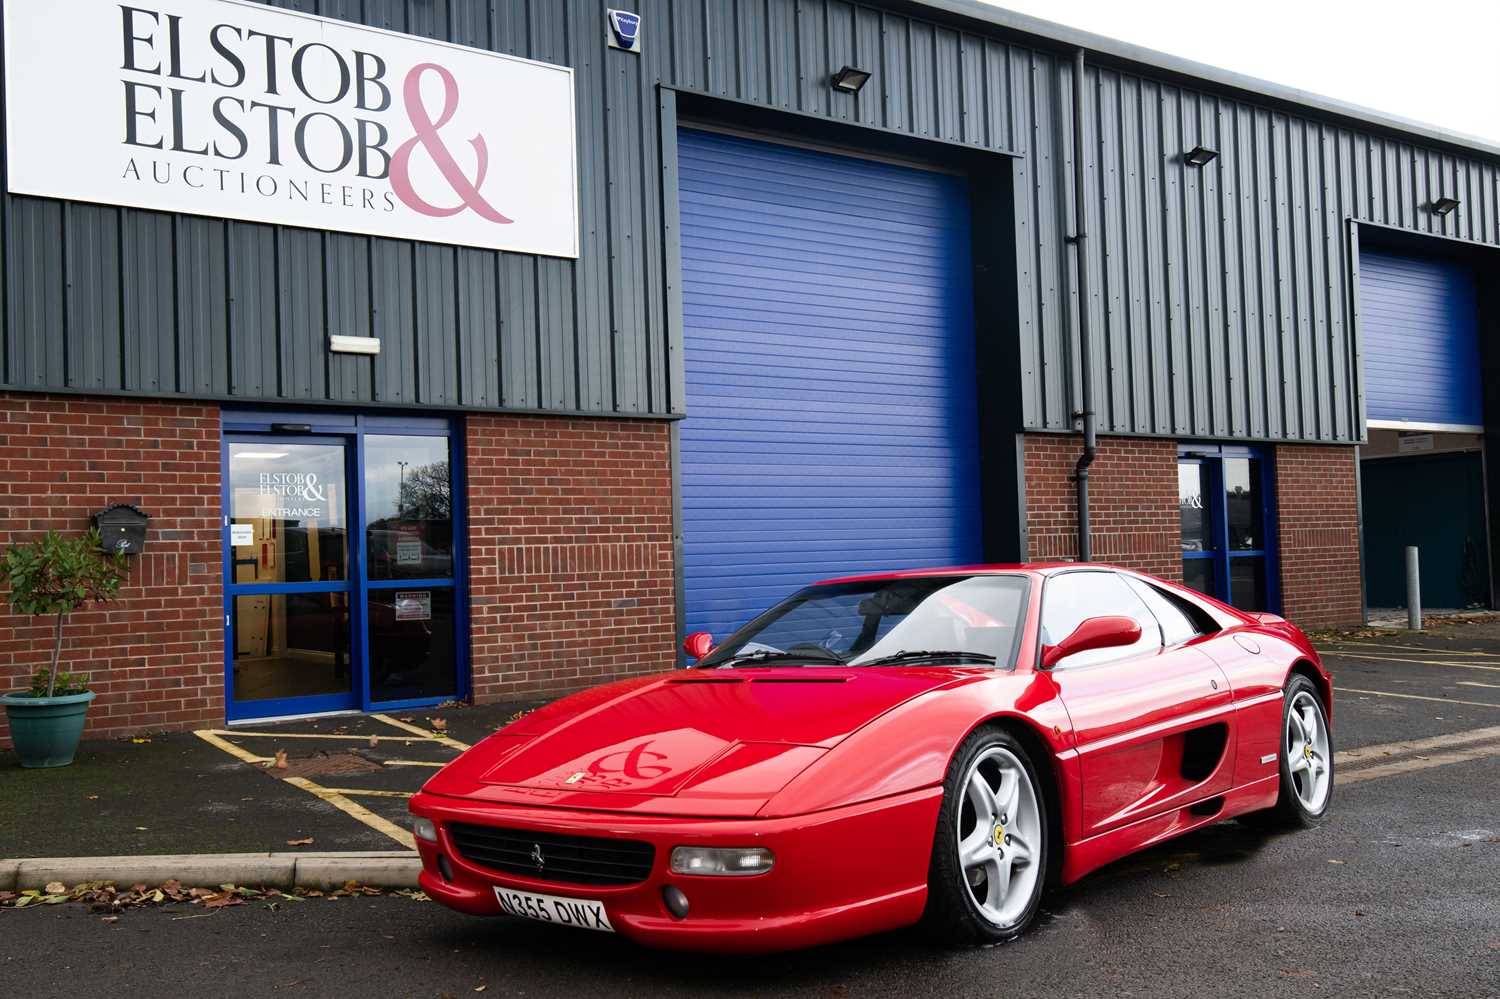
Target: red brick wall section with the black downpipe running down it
1133	502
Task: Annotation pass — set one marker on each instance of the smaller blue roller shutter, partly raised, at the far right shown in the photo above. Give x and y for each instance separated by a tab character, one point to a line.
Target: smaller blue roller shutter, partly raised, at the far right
1421	325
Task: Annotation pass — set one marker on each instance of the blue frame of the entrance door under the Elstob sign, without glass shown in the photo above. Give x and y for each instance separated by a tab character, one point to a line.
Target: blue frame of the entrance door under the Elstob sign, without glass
350	431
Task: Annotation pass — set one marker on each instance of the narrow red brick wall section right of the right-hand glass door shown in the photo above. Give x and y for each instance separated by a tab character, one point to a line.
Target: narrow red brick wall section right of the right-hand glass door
1319	535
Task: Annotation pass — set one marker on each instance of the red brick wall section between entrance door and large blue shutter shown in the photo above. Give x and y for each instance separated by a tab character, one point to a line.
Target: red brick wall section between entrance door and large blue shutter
571	553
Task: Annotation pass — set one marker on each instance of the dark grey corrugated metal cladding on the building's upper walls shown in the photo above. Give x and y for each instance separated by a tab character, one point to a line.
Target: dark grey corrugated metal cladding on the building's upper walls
1222	302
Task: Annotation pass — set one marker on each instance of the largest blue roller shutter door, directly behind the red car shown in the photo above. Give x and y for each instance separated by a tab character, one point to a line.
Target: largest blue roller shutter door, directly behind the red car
832	404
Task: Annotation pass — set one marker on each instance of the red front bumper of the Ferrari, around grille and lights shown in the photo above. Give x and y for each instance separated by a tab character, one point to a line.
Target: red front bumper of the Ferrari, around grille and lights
839	874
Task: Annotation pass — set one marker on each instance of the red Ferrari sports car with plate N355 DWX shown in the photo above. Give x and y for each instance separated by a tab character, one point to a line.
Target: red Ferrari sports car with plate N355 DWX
914	748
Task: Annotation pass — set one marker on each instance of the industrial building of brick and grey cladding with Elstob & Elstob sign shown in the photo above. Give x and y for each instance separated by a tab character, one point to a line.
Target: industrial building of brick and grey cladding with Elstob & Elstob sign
470	349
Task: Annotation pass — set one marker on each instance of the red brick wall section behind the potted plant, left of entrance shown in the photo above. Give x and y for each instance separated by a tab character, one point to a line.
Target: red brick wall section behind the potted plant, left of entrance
157	655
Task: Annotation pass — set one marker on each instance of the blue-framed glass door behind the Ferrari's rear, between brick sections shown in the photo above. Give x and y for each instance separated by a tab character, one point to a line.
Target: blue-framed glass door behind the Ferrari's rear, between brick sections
1226	514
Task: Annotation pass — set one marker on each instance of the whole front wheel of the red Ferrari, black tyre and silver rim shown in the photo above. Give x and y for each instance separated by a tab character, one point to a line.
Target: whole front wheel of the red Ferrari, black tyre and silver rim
989	863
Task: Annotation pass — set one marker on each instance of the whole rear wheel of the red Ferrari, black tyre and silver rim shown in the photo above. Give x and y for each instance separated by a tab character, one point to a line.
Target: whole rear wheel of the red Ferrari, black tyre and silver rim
1306	763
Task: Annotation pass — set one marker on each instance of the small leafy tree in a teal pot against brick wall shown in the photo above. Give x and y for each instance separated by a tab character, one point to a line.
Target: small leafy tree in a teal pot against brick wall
53	577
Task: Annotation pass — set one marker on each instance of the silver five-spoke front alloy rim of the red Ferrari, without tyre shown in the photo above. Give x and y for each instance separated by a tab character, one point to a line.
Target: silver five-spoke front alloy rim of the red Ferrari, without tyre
1000	836
